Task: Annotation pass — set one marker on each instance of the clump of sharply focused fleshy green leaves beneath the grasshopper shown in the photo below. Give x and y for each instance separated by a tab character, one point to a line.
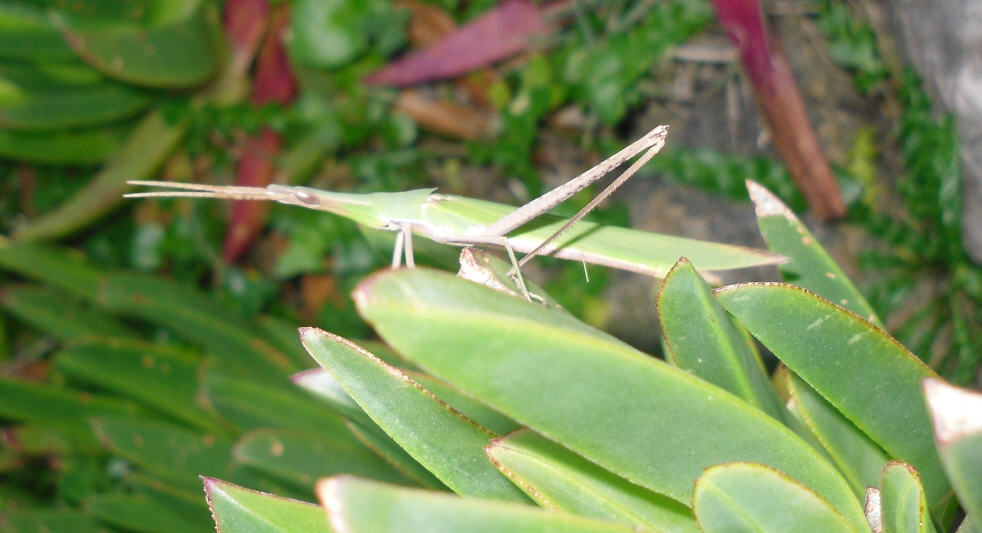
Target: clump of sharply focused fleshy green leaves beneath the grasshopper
607	438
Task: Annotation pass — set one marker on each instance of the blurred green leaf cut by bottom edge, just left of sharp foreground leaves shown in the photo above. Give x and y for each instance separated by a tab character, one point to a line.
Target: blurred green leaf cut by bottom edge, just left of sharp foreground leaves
150	513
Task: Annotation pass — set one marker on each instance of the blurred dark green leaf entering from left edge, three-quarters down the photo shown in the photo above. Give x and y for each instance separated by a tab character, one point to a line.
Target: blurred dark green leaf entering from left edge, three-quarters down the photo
62	408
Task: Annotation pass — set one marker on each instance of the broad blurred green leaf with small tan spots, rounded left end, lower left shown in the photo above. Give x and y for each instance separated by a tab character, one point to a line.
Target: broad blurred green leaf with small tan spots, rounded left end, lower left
163	377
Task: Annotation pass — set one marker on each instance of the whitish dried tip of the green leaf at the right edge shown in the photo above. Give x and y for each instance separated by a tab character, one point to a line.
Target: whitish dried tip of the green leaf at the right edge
955	411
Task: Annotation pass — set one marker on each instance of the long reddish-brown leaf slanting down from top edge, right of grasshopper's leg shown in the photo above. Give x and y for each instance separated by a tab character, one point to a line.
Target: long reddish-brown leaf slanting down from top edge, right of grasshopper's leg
781	105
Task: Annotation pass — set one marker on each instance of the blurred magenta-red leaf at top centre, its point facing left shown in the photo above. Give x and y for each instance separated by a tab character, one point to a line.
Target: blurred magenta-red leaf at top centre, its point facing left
500	33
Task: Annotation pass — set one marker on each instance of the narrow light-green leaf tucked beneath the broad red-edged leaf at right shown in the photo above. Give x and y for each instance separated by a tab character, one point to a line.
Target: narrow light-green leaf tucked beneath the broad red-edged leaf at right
857	456
